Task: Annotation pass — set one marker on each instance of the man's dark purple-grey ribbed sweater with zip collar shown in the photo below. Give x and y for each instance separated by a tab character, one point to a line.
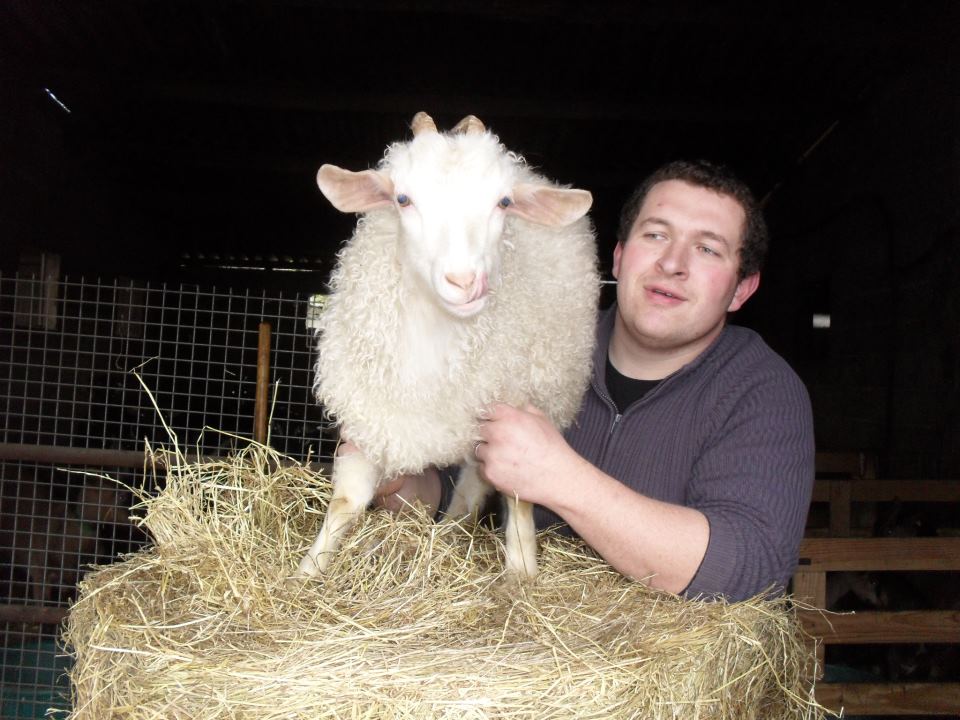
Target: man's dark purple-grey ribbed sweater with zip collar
730	434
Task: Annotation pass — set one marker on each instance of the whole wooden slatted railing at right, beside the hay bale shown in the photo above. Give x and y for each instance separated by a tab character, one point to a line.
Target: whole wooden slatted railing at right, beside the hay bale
820	556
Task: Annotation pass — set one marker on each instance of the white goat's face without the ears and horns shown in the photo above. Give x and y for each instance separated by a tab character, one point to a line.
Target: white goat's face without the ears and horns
451	194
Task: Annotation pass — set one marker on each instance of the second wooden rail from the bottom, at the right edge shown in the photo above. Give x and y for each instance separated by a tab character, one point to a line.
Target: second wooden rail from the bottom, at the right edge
905	626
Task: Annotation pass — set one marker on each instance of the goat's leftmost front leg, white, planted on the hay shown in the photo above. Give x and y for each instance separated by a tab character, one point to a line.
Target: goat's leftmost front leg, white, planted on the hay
354	481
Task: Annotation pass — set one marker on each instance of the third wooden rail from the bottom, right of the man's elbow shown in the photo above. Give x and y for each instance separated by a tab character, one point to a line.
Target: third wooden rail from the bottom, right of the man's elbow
879	554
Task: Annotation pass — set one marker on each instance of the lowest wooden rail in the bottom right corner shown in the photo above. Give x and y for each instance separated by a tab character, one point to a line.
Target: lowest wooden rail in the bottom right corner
890	698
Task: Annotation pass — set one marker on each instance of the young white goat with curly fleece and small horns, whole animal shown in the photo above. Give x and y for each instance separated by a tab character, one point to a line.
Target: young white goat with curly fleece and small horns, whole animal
469	280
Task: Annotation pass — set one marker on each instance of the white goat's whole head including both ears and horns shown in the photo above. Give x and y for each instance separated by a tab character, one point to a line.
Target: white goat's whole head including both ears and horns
452	193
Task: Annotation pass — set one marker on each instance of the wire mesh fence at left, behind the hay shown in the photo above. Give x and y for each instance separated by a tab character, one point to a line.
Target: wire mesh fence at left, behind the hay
89	372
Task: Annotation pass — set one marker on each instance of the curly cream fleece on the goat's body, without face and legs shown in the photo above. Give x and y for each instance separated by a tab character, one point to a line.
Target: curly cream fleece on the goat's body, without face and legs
531	343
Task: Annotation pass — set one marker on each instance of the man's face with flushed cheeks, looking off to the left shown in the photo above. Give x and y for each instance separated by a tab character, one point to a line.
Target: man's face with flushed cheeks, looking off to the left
677	270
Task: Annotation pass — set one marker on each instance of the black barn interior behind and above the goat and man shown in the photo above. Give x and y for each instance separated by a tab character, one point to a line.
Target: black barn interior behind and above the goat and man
190	133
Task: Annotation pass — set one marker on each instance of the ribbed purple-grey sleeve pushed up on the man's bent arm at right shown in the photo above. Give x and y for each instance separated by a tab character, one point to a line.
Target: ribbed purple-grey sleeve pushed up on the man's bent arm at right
753	479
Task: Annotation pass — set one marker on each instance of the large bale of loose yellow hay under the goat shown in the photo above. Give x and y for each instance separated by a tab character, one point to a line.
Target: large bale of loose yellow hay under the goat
413	620
